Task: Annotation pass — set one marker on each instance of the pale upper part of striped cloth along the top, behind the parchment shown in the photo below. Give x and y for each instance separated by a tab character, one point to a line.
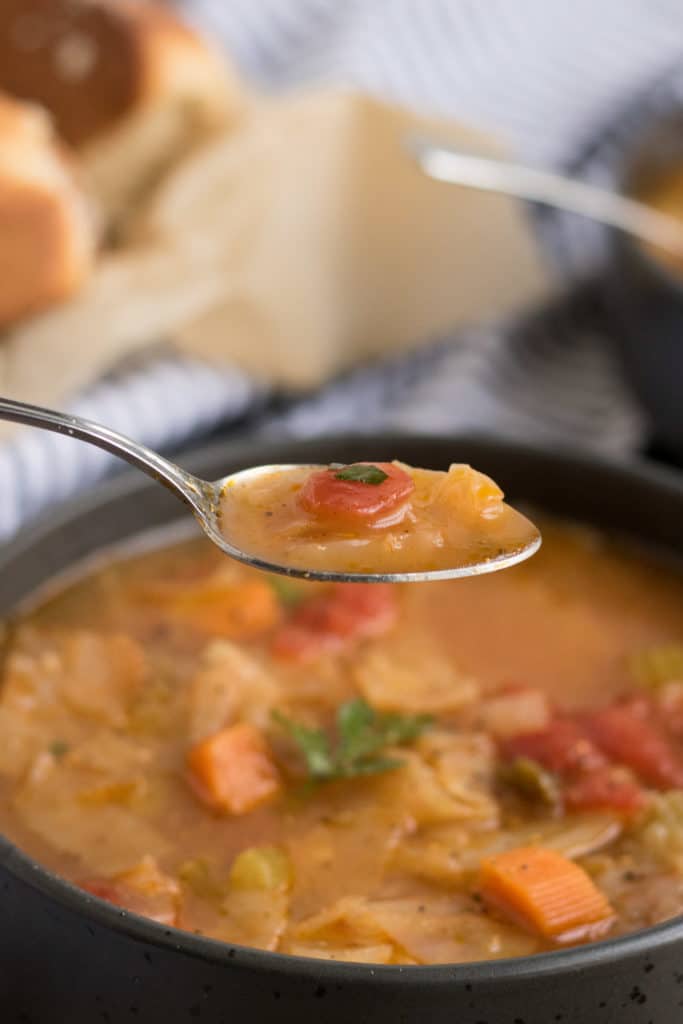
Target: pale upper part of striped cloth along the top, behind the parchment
546	75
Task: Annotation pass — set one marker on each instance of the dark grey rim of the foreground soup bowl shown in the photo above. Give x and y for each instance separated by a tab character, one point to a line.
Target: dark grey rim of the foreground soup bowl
642	945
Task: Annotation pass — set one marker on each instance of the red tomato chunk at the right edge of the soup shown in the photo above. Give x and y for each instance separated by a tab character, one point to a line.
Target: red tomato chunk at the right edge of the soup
628	735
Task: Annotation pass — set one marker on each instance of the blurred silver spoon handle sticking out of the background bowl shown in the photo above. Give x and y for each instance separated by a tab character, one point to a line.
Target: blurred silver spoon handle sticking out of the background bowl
447	163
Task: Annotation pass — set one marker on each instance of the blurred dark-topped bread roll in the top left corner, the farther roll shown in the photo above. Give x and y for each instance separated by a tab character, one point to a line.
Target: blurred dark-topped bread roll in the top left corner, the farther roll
127	84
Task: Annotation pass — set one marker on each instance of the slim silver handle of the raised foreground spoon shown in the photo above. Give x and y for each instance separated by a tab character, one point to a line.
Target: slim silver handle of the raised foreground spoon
190	489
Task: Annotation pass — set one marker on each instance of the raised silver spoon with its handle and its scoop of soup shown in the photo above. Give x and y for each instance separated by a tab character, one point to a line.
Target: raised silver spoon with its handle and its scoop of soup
365	523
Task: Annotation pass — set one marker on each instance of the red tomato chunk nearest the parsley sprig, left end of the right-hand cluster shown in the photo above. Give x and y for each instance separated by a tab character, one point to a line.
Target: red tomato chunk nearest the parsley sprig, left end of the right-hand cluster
564	747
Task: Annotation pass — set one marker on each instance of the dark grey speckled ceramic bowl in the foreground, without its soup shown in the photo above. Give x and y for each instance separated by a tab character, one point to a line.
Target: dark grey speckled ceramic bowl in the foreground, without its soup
66	958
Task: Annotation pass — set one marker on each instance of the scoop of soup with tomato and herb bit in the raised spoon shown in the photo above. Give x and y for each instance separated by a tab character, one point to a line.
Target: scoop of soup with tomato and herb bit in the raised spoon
374	518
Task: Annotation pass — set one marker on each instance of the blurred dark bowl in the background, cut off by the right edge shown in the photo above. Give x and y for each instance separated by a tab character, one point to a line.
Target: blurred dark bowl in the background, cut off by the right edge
648	296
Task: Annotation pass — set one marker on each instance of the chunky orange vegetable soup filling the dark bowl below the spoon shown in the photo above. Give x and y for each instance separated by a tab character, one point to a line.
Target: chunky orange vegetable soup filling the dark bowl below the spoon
399	775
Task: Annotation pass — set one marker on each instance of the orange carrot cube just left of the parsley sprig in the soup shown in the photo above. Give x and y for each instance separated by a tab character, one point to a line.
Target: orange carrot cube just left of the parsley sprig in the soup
233	771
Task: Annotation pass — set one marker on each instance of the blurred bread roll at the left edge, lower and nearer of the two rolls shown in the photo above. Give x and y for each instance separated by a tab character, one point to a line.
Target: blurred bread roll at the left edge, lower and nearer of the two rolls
48	236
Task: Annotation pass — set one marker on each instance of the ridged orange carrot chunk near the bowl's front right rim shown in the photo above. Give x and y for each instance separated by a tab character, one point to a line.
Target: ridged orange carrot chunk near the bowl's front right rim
540	890
